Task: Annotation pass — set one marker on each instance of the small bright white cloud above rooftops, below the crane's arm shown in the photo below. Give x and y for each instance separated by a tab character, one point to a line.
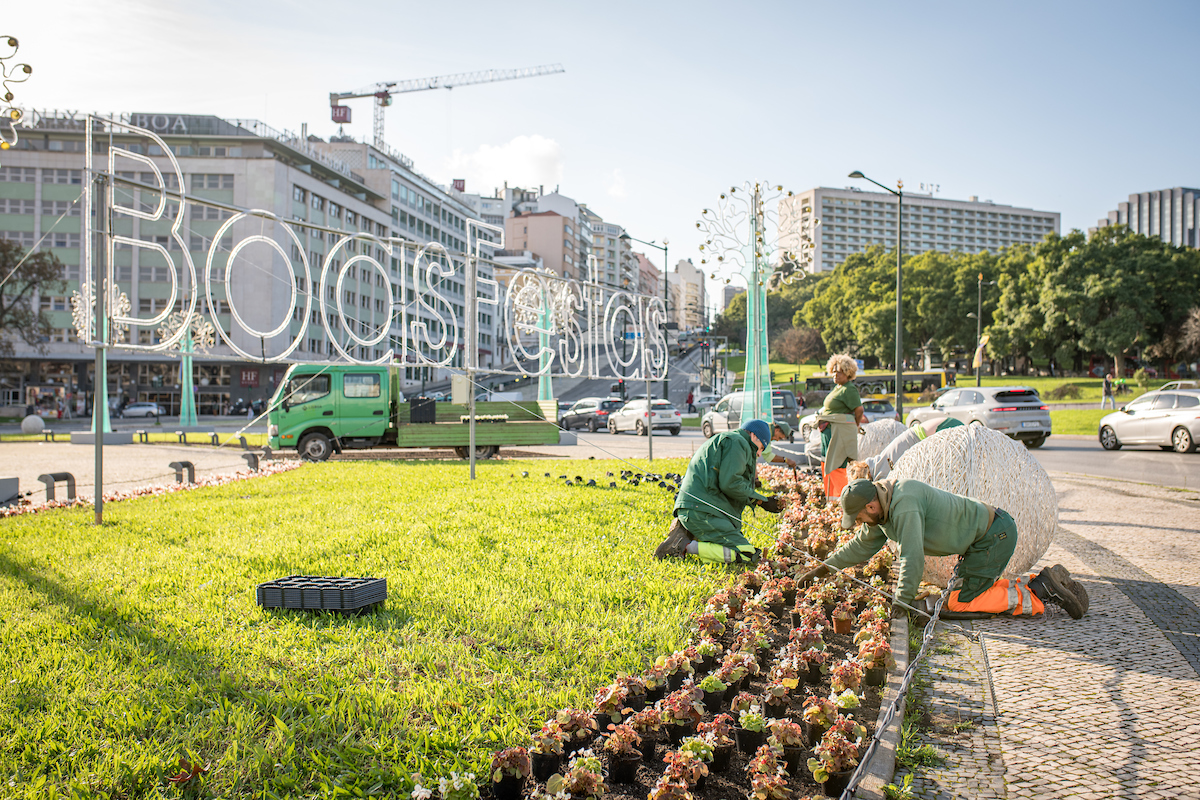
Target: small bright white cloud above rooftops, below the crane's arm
526	161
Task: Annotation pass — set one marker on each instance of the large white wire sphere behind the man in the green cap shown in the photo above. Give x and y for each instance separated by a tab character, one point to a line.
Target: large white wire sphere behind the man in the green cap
985	465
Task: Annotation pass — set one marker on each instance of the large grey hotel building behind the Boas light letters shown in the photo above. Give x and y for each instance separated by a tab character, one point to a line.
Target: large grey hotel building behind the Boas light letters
340	185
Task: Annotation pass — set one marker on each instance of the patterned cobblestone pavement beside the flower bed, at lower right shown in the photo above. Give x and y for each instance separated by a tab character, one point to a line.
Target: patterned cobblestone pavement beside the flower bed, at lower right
1105	707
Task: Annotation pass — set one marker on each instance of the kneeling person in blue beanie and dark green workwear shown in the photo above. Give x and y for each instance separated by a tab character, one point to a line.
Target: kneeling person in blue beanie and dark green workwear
717	488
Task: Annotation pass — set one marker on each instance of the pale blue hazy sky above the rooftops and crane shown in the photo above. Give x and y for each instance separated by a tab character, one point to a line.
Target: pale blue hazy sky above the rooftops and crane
1060	106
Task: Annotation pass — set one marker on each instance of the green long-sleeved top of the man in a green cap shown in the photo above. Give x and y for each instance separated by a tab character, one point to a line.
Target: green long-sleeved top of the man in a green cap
925	521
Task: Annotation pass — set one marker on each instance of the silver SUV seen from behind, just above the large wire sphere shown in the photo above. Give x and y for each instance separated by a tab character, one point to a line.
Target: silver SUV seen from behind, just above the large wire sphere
1017	412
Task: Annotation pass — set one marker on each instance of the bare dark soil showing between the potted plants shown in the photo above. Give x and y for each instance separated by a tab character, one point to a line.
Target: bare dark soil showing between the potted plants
735	783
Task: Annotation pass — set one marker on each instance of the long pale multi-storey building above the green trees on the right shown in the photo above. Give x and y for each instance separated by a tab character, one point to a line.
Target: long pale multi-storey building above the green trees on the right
854	220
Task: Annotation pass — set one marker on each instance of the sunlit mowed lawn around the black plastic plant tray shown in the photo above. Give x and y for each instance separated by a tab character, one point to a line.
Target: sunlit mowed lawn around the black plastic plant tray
128	647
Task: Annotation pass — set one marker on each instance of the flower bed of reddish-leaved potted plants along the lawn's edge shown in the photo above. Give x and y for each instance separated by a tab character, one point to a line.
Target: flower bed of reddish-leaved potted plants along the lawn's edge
766	702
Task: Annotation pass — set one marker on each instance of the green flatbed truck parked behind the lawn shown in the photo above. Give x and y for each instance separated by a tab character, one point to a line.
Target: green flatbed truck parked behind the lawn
322	410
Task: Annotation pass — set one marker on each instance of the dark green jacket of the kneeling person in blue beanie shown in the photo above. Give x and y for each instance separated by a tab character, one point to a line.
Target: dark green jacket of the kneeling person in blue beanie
722	474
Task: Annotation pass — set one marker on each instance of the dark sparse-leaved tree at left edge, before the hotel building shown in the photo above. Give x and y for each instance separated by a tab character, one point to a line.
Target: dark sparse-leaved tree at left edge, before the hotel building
26	279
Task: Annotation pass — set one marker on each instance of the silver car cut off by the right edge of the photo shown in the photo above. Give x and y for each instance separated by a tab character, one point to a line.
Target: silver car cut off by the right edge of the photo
1168	419
